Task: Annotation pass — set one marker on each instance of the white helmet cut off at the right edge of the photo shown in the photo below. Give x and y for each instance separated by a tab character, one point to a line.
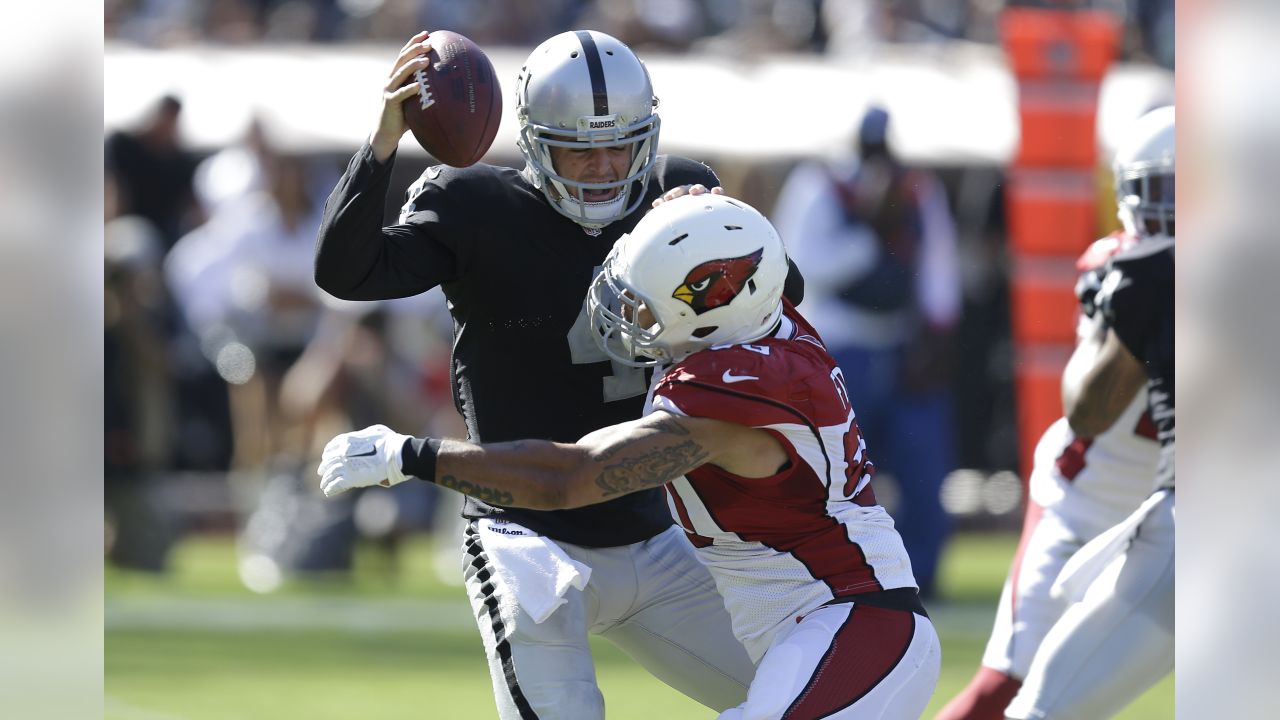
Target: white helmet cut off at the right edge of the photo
1145	175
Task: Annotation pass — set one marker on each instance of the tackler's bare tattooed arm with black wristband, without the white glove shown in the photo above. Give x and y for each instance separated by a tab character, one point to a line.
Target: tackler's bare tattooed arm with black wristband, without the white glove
606	464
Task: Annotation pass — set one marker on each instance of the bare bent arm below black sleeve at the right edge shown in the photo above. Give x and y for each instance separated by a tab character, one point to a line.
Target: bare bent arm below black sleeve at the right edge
1100	381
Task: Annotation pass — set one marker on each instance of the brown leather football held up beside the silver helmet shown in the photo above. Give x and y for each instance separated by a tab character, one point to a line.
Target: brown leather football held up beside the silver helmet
456	112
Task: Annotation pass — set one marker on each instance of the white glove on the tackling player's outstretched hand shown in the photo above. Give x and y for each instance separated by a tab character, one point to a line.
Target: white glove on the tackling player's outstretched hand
360	459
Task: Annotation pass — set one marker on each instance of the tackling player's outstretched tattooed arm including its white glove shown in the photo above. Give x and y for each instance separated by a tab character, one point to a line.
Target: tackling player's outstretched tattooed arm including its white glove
548	476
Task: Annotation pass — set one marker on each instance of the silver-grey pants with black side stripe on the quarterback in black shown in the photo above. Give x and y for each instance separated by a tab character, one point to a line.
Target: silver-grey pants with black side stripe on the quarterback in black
655	600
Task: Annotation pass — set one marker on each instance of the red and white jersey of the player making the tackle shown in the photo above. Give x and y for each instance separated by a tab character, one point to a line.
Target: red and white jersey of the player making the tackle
784	545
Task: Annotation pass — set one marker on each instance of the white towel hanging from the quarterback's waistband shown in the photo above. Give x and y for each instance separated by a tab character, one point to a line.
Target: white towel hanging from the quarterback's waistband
536	571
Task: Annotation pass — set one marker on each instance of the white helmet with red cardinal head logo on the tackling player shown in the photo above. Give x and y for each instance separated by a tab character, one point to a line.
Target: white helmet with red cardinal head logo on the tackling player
708	268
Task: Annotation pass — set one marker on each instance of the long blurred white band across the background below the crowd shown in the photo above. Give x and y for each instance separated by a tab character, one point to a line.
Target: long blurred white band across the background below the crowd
953	104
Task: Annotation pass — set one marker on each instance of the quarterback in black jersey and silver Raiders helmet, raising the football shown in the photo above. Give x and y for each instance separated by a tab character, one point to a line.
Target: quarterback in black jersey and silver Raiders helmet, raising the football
514	252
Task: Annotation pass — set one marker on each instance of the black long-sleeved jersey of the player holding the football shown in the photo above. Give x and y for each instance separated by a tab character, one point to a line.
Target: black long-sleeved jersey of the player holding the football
515	274
